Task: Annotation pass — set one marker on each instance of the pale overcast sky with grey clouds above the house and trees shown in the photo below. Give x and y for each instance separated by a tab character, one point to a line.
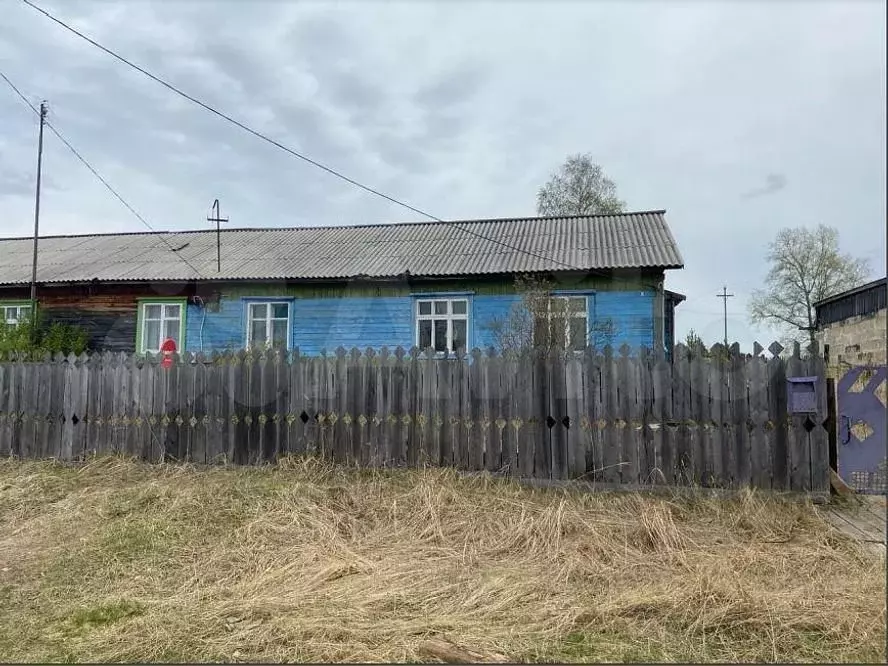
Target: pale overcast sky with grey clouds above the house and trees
738	118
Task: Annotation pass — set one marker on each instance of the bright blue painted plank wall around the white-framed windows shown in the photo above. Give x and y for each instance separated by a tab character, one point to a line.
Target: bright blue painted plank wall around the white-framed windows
375	321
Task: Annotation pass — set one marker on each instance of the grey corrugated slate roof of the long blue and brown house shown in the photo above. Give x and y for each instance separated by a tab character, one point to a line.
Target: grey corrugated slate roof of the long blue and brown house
431	249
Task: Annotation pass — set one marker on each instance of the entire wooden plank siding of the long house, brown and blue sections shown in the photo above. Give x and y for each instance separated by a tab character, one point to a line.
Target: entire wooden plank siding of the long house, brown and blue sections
324	316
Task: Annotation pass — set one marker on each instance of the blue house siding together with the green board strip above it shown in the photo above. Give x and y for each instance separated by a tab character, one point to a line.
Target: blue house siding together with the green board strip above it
325	317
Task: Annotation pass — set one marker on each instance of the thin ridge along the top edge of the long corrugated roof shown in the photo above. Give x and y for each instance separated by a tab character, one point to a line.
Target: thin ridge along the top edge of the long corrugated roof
342	226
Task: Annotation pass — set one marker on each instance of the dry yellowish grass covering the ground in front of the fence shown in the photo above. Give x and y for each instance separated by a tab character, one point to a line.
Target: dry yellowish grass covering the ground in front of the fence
119	561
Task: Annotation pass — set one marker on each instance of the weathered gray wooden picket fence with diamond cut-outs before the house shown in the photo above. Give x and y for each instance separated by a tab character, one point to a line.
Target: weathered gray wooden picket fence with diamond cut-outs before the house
612	418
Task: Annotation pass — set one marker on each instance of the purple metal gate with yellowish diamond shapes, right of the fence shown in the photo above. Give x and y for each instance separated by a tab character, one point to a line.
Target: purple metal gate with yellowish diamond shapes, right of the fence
861	395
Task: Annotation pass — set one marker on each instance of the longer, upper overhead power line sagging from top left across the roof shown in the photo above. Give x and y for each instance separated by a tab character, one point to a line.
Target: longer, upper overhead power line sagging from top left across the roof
281	146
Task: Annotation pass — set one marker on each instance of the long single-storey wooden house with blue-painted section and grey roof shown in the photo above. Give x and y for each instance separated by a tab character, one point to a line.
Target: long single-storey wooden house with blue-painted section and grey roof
442	285
